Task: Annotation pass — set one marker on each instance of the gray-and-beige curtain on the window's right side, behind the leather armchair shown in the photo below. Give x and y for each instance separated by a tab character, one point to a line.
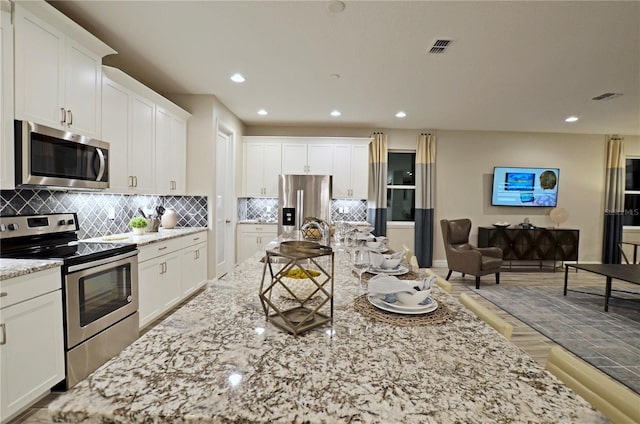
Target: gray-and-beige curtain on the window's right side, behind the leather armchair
425	198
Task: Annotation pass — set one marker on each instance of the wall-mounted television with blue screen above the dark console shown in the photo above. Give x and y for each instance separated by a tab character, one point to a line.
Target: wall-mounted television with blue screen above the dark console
516	186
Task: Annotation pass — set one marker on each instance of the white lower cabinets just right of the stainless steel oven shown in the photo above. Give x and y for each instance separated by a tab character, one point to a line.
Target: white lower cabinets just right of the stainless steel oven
168	272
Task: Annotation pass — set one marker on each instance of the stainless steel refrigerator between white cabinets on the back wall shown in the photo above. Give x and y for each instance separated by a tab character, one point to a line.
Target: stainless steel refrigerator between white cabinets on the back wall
302	196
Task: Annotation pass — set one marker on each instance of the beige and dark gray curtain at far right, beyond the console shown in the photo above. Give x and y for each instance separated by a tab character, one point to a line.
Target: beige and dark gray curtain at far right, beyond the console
614	201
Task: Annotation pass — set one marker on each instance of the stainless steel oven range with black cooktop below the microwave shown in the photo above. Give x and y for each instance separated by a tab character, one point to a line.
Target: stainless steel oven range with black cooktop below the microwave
99	286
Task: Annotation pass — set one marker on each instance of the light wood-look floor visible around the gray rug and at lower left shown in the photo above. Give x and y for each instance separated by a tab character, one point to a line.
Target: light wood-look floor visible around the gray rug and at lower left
524	336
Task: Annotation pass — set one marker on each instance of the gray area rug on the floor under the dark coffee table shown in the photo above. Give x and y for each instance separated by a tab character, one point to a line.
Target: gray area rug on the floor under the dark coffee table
610	341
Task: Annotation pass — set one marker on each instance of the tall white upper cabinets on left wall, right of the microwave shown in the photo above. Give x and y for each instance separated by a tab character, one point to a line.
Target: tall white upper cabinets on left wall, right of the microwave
147	135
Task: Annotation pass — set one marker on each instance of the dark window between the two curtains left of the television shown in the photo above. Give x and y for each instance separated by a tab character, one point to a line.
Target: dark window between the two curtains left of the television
401	186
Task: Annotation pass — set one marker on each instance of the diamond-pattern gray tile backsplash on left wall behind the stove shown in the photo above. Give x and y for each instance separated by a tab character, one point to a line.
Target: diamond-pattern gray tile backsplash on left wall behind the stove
93	208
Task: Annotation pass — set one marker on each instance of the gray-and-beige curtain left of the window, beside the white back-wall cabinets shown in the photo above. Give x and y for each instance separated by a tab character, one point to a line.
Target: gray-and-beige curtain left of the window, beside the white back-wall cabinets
377	199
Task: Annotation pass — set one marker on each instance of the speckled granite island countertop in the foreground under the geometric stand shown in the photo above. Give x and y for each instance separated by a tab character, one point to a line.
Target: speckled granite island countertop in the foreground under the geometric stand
217	360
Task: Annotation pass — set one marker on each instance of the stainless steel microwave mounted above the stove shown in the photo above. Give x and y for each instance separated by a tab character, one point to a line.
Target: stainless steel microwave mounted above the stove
51	158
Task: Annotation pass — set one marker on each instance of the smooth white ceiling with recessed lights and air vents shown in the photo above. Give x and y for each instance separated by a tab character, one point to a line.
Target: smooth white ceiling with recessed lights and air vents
514	66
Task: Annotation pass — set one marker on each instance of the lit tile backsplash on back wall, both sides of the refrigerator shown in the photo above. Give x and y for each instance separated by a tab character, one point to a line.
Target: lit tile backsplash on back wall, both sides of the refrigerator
267	209
